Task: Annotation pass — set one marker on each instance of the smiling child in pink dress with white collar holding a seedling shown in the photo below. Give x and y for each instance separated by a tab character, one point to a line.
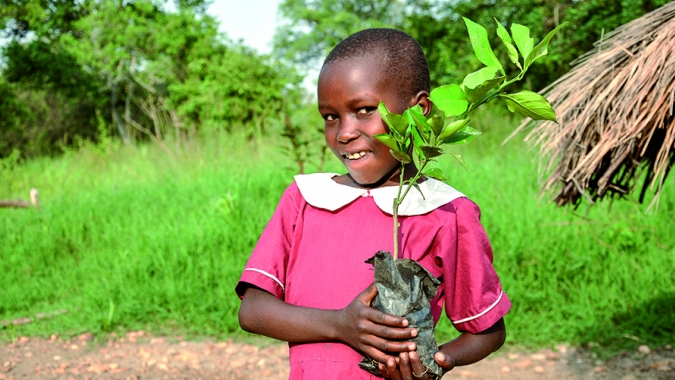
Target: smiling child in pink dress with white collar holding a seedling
307	282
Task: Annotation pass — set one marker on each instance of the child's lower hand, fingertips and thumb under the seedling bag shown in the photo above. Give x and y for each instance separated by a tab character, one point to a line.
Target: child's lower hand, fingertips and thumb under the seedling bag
408	366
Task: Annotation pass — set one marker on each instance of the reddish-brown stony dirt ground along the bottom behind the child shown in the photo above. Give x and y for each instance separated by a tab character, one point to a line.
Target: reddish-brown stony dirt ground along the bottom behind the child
138	355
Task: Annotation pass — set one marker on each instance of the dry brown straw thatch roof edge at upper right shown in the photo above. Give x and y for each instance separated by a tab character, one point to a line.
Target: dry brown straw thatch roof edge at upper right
615	111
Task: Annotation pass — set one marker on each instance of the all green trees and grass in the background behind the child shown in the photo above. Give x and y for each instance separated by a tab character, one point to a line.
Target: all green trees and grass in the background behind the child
160	149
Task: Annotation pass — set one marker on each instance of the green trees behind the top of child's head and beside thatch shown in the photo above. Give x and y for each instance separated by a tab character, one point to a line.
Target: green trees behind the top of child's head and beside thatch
314	27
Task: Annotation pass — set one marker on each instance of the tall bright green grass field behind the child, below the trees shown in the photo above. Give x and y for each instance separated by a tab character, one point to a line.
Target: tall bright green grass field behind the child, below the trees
134	237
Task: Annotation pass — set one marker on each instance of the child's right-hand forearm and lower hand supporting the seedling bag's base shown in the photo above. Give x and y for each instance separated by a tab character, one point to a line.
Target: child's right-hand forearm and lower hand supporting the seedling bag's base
466	349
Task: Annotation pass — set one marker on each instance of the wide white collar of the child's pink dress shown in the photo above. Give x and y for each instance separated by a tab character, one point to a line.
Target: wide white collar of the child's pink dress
319	190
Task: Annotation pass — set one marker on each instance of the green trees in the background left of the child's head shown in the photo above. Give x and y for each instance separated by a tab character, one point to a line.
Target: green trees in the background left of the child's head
146	71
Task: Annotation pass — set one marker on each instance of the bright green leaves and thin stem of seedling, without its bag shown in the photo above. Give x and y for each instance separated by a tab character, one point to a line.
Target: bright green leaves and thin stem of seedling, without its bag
447	123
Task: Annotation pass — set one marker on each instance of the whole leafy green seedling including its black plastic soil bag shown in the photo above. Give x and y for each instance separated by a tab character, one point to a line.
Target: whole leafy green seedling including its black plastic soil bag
404	286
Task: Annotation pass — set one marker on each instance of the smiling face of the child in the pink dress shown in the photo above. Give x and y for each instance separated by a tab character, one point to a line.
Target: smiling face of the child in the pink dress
349	92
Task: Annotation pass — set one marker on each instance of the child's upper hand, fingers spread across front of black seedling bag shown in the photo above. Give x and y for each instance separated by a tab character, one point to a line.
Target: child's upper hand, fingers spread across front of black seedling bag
371	331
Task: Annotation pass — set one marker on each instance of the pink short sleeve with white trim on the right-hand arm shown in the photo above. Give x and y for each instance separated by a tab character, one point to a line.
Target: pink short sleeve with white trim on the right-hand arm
474	299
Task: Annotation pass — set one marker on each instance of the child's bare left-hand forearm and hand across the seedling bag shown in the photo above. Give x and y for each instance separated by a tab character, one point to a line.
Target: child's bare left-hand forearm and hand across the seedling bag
369	331
